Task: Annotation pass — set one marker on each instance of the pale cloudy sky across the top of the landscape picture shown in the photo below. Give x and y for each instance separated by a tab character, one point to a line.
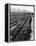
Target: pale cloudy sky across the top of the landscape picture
21	8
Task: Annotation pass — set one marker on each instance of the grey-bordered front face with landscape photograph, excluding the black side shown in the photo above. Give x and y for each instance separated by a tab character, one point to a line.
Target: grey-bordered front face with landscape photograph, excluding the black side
20	22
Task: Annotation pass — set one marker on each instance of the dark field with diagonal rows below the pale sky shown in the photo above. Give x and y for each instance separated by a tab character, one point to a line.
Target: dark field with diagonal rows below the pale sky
20	24
